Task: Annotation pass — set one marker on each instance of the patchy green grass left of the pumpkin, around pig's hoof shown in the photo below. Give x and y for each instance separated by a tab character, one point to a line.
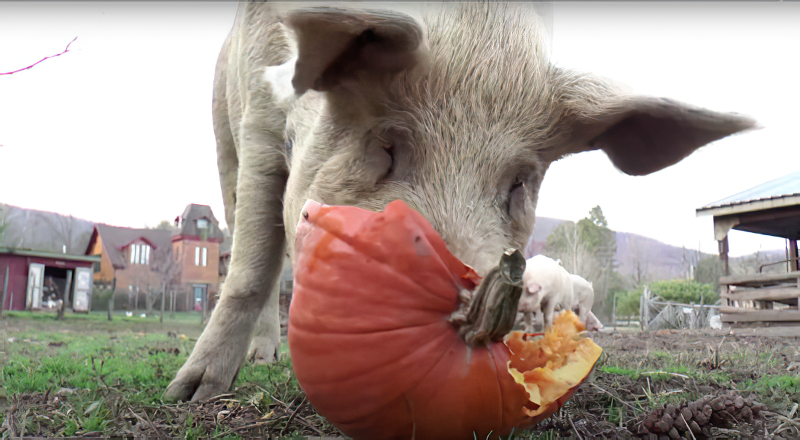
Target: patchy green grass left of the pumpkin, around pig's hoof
87	375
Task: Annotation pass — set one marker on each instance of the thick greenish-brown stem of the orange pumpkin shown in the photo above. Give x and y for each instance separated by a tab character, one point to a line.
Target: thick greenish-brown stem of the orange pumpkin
489	313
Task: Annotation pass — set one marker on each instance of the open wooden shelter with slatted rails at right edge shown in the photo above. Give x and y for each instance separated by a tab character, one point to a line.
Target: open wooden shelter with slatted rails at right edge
772	208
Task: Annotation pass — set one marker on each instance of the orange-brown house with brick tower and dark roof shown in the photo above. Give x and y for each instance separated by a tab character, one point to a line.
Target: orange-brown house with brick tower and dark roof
185	261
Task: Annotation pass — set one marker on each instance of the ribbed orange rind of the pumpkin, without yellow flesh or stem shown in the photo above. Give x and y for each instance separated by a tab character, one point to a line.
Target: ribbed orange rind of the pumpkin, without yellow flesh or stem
441	382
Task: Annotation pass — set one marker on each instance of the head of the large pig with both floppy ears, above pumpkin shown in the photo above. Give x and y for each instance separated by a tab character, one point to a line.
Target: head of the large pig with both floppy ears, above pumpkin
460	117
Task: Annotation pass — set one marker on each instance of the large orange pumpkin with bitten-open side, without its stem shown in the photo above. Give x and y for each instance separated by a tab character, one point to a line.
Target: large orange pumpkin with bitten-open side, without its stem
374	351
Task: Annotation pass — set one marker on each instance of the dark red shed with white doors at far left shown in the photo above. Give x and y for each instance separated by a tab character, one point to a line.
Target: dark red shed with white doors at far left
25	275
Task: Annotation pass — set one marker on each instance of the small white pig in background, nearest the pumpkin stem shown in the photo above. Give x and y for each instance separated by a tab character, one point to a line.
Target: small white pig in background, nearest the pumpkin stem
547	286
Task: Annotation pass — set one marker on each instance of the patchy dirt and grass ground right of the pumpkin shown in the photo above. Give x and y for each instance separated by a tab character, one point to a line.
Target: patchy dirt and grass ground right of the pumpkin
643	376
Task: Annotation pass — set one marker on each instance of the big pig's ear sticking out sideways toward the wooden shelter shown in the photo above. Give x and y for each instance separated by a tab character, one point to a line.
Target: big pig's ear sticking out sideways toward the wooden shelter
640	134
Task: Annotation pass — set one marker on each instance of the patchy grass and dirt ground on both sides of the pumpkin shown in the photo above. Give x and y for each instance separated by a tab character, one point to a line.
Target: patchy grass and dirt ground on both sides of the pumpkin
86	376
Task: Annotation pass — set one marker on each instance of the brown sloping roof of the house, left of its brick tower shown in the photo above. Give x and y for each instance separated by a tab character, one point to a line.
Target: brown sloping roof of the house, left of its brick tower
116	238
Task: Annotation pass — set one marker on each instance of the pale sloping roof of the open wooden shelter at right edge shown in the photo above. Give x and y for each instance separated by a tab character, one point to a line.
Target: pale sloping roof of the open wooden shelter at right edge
781	192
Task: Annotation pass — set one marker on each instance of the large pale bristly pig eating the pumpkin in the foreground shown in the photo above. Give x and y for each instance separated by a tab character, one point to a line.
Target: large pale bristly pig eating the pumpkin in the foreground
459	114
